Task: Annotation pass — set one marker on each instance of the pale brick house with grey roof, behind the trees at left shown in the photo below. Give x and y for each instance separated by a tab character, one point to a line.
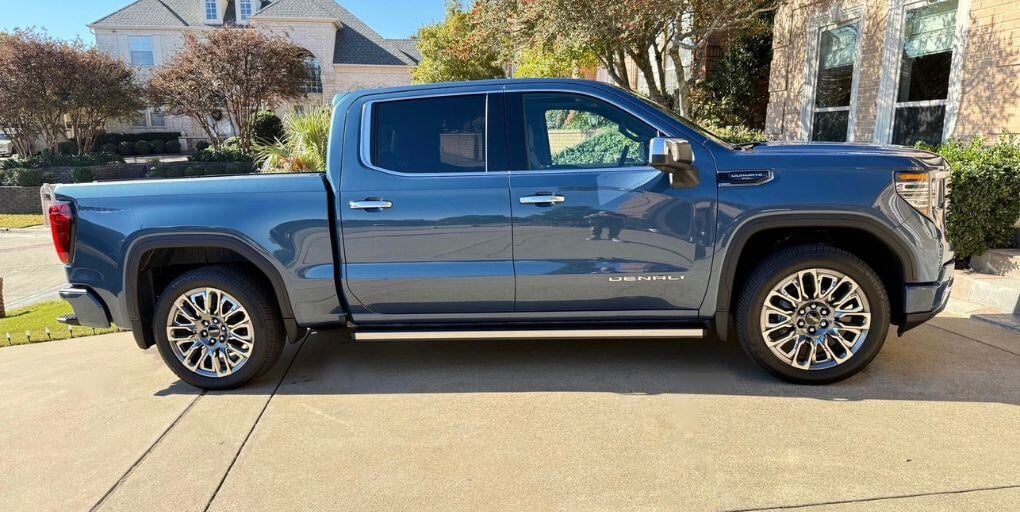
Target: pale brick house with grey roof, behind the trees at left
344	54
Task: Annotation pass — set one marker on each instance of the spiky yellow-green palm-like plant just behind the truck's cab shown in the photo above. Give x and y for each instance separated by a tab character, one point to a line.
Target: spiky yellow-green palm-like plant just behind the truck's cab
307	137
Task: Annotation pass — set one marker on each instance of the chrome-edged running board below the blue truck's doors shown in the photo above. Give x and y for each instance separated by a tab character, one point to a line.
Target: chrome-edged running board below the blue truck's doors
609	334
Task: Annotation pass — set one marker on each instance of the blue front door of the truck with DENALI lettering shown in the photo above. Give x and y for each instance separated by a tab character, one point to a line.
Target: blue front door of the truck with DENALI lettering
595	228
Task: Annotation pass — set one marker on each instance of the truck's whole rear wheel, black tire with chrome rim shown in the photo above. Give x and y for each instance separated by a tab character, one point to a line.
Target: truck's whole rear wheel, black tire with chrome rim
218	329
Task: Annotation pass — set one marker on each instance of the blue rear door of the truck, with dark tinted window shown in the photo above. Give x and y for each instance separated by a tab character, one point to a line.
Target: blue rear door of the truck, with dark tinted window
426	209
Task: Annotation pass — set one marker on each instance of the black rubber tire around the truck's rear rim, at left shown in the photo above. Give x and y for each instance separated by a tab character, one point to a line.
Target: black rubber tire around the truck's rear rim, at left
269	339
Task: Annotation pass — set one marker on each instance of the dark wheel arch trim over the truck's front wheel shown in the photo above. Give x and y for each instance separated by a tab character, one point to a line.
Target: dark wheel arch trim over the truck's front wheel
862	236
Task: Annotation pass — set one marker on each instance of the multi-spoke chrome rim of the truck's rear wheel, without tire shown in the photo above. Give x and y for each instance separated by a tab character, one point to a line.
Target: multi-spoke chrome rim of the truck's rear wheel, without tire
211	333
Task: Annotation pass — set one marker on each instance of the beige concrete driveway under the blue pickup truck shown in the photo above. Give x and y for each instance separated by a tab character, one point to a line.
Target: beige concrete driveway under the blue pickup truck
934	425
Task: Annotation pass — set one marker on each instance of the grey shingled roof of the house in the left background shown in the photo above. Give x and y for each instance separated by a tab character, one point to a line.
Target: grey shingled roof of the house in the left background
355	43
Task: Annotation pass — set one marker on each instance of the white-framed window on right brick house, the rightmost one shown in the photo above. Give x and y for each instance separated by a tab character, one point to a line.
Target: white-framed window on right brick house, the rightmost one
926	69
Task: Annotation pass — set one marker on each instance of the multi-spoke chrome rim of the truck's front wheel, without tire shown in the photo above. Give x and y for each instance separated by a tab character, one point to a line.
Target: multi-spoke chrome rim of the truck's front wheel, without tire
815	319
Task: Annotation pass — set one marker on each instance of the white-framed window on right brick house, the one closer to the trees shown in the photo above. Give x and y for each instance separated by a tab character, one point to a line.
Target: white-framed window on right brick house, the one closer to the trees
835	84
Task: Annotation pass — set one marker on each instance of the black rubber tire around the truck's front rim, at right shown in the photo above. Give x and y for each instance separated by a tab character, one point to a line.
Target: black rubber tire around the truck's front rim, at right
786	263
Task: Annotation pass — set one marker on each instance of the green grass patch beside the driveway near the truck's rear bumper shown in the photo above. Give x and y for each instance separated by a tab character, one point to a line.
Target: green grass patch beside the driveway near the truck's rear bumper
36	320
